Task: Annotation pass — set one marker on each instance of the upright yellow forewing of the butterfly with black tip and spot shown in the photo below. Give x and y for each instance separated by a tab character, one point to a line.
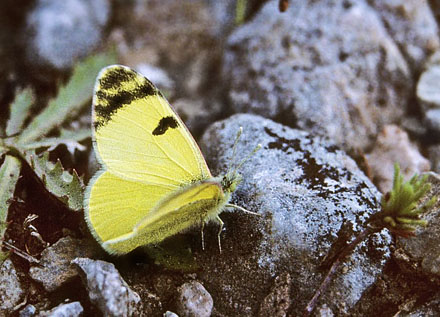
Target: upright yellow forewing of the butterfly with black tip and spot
137	134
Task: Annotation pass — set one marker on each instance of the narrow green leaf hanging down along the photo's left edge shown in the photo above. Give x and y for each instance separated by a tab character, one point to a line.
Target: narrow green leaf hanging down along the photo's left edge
9	173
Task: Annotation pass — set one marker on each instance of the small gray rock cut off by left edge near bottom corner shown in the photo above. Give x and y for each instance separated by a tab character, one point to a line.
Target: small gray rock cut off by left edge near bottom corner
11	291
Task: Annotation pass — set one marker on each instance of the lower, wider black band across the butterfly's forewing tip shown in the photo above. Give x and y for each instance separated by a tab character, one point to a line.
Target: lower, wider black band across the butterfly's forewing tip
108	103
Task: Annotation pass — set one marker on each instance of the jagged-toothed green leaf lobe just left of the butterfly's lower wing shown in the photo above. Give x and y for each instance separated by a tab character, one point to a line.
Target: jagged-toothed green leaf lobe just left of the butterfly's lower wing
67	187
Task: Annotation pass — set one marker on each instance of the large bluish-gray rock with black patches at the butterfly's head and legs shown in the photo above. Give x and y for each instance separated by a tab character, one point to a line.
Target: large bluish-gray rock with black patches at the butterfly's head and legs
308	193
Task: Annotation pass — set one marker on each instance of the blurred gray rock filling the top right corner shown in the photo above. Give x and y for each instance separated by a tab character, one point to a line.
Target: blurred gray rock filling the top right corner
412	25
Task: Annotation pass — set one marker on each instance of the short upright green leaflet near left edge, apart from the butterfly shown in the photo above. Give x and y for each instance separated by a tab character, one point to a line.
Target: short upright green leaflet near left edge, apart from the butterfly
19	111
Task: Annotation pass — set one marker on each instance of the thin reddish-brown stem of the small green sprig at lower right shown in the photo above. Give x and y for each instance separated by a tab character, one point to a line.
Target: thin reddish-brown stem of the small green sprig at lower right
338	261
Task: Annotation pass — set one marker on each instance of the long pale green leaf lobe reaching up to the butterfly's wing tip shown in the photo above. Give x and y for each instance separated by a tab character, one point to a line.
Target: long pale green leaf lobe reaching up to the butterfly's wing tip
69	100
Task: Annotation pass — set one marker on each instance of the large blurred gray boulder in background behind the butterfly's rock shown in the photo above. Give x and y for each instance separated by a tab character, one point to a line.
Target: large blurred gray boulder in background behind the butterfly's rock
343	77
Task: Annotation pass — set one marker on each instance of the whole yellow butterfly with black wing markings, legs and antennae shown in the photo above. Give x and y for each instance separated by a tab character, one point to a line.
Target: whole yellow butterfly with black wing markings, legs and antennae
153	181
